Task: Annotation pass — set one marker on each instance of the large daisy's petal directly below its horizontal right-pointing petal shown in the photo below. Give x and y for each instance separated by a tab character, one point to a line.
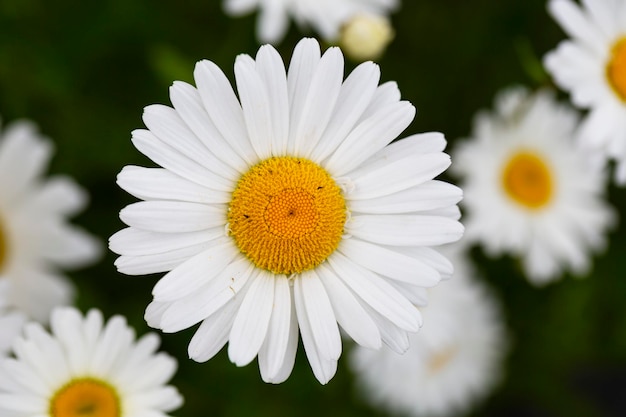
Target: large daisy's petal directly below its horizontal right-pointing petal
390	263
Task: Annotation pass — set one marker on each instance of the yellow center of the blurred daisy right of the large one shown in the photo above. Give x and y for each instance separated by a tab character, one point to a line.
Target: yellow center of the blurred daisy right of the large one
528	180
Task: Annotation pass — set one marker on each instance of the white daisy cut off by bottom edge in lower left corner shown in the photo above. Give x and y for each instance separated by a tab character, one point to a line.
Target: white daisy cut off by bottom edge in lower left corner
86	368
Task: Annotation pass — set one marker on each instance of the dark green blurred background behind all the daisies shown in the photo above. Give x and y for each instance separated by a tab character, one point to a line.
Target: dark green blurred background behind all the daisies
83	71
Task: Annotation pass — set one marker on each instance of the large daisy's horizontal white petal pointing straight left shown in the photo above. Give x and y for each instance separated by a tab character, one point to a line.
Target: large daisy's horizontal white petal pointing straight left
173	216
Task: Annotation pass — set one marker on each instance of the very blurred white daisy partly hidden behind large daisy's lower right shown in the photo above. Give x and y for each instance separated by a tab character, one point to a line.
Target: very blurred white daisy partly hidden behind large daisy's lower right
454	361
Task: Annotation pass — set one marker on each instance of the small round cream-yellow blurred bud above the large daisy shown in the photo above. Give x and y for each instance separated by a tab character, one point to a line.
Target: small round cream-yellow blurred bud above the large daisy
365	36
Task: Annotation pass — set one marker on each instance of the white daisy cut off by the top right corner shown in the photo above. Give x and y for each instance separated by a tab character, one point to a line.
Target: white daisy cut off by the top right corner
592	67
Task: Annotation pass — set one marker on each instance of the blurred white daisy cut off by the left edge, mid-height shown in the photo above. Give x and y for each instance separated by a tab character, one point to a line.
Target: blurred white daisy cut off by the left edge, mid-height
35	238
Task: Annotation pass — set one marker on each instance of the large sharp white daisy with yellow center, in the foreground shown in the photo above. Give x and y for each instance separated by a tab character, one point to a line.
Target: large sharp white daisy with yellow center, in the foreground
285	210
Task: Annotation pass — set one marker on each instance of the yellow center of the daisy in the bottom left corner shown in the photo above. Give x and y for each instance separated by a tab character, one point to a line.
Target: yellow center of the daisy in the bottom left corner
85	397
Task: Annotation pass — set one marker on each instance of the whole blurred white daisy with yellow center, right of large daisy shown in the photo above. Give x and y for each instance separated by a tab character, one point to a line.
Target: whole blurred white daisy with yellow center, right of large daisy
528	190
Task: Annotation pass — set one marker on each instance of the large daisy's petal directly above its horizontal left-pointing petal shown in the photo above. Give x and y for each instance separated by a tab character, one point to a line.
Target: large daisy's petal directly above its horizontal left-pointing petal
161	184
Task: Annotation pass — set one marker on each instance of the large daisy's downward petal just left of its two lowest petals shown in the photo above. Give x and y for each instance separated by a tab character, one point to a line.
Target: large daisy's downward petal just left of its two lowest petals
252	322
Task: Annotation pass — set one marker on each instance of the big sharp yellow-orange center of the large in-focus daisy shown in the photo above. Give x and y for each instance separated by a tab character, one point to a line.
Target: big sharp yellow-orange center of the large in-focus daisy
287	215
